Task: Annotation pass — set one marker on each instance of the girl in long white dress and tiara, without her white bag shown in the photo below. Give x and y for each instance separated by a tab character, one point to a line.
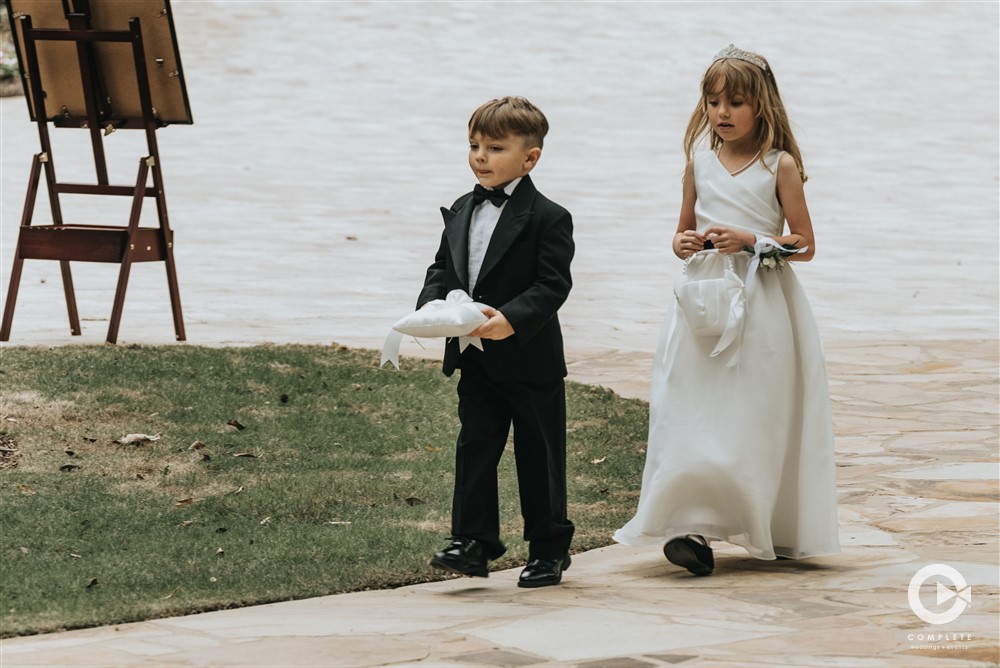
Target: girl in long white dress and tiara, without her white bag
740	433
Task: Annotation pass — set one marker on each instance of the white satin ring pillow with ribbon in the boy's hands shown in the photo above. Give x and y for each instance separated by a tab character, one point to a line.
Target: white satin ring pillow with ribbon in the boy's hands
455	315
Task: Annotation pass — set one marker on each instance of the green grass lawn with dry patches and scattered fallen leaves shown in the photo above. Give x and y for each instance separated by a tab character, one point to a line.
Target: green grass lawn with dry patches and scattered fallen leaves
279	472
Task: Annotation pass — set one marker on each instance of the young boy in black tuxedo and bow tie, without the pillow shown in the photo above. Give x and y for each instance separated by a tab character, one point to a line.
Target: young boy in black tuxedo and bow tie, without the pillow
509	247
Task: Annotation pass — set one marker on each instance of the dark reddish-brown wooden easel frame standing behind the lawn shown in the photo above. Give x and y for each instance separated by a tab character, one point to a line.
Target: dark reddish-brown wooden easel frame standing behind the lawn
66	242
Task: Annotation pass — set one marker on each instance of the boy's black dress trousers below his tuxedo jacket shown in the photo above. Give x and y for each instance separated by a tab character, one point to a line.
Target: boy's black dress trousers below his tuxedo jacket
487	408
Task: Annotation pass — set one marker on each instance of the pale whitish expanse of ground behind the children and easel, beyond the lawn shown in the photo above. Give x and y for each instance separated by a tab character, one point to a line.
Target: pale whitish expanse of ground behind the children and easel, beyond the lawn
305	197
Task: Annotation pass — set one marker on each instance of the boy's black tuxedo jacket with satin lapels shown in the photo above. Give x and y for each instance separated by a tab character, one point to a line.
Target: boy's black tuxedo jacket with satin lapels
525	275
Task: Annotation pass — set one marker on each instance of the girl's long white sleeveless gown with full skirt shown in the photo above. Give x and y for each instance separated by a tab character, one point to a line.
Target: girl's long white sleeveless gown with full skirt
741	445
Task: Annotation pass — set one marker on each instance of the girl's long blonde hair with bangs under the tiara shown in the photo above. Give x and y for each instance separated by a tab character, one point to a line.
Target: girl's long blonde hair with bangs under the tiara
740	77
